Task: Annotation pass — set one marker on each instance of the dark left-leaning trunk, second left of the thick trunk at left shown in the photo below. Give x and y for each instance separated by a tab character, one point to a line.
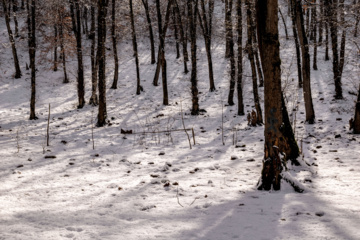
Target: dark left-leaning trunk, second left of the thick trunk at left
77	31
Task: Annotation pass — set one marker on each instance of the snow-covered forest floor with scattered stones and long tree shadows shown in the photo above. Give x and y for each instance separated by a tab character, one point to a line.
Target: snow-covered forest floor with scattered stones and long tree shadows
153	186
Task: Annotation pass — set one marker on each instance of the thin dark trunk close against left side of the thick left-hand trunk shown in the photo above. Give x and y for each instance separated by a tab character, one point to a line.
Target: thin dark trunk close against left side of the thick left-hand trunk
94	63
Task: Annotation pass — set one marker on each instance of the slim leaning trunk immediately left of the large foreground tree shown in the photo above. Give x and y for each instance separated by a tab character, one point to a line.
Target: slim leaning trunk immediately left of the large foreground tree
250	49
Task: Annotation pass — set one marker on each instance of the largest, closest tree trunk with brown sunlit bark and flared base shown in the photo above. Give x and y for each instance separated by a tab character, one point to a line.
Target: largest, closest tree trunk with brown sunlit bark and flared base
278	132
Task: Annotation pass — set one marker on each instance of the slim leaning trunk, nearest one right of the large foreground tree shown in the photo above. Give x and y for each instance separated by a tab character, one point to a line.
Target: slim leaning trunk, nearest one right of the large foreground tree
309	108
